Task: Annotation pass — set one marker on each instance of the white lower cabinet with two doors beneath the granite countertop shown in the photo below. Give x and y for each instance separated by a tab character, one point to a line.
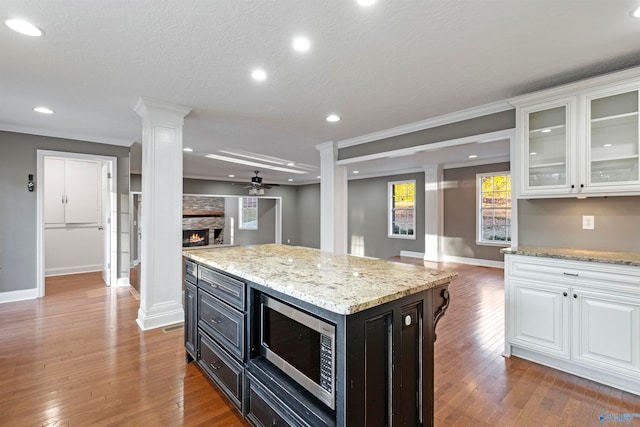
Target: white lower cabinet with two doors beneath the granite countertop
580	317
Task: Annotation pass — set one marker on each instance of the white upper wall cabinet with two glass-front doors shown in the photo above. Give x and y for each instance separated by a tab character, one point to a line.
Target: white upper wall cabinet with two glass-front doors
581	143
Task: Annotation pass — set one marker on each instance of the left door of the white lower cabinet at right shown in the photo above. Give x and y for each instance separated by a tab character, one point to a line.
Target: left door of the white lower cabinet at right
541	317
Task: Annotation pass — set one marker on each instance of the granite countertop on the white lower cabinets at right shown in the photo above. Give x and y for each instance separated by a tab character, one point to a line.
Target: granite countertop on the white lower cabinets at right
620	258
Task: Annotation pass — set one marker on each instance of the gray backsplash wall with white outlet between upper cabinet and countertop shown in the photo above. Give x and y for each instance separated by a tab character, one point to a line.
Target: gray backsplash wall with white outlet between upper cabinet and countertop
558	223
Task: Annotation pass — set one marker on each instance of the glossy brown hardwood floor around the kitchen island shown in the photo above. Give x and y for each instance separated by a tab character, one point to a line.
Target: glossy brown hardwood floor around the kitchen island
77	358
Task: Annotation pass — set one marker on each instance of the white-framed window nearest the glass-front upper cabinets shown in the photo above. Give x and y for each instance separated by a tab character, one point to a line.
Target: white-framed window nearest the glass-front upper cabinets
494	208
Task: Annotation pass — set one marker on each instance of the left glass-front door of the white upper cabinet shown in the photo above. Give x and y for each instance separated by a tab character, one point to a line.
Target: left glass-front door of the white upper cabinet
547	148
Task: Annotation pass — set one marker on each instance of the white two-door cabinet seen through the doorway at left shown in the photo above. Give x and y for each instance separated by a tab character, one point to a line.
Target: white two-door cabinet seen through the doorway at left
72	191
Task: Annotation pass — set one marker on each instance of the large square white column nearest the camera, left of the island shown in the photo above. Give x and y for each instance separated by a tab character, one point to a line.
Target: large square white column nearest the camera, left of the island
161	256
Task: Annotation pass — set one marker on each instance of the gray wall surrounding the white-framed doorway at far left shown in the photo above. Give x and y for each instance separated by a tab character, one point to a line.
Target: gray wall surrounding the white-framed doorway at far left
18	216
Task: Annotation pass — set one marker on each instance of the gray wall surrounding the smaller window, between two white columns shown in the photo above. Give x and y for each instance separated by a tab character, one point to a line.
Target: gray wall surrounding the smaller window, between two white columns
367	210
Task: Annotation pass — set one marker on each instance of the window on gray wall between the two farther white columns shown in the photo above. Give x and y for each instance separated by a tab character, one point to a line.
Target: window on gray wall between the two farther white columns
402	209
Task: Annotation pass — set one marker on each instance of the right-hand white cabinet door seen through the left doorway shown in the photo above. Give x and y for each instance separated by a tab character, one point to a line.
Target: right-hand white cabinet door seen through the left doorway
82	190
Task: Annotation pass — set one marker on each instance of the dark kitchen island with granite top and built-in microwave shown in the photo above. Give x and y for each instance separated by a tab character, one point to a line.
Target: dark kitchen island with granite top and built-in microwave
378	369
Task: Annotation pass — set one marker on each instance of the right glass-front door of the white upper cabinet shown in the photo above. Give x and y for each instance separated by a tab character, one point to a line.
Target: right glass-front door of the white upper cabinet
612	143
